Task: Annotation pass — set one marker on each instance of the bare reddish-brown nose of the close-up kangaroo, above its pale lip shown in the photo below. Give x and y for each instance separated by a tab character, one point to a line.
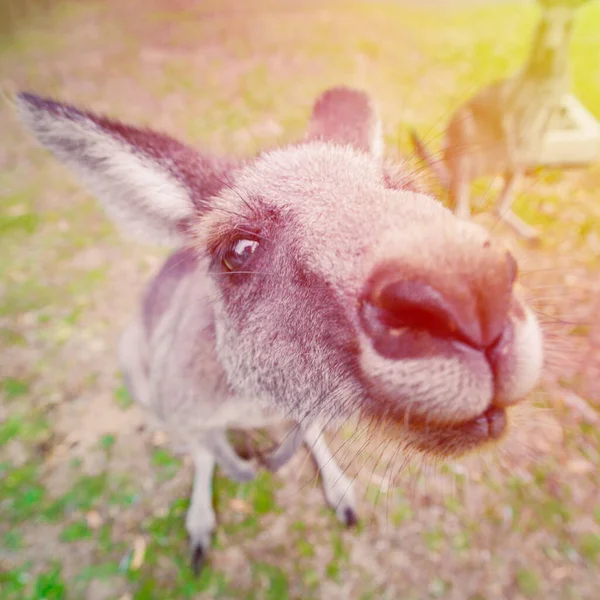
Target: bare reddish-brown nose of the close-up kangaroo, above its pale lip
472	311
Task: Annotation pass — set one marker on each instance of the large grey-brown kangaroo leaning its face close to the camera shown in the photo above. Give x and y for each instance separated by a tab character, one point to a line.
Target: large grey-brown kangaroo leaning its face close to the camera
310	283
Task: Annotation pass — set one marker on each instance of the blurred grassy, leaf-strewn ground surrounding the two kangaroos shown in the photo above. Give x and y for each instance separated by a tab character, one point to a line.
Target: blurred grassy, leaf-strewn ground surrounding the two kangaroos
92	504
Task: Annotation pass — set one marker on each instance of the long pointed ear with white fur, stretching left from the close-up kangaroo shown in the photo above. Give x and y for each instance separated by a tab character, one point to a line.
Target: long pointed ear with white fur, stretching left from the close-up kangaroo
150	184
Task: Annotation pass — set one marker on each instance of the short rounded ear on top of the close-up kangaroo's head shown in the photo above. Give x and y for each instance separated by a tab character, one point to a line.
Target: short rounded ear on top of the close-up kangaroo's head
348	117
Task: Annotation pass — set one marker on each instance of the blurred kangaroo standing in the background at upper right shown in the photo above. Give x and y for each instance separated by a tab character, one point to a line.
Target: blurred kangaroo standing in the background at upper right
501	129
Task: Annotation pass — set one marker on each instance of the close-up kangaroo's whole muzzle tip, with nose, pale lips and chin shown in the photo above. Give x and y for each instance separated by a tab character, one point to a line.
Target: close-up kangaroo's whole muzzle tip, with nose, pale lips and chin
444	334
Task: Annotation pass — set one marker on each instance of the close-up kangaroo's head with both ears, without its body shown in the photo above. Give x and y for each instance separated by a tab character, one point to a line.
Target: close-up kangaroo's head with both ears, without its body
339	287
